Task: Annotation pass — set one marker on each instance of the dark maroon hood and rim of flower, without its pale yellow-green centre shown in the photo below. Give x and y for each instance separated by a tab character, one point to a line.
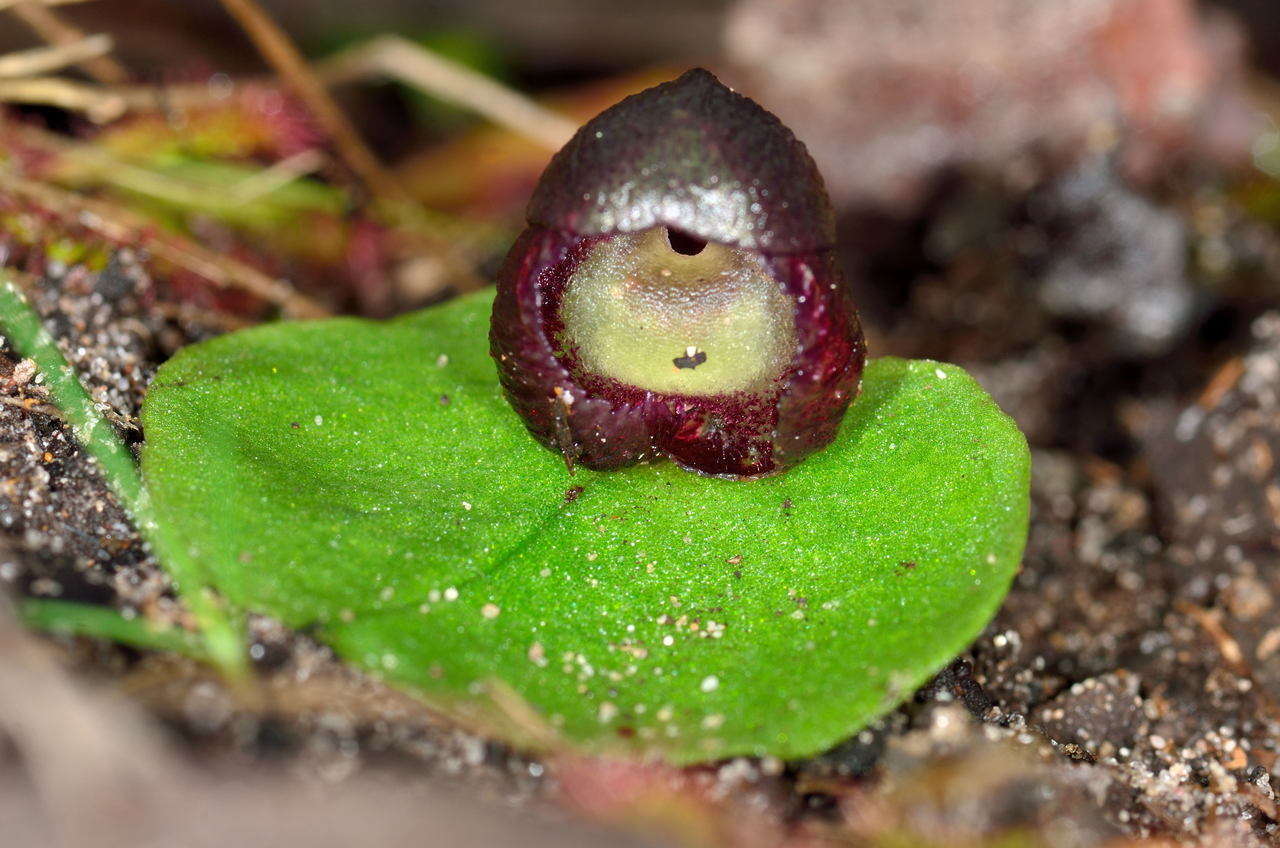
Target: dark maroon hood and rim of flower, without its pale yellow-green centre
656	161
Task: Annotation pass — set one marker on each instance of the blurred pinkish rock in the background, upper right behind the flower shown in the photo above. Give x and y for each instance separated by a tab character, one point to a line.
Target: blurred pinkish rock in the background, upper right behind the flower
890	94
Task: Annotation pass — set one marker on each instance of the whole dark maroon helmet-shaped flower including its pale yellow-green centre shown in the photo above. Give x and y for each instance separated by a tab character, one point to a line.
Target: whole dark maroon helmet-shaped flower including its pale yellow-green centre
675	294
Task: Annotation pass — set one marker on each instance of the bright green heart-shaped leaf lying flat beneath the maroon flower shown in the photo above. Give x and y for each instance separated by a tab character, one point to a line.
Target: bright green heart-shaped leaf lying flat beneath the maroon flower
368	480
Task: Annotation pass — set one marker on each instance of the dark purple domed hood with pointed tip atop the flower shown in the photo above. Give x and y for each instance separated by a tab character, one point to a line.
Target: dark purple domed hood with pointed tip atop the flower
697	157
